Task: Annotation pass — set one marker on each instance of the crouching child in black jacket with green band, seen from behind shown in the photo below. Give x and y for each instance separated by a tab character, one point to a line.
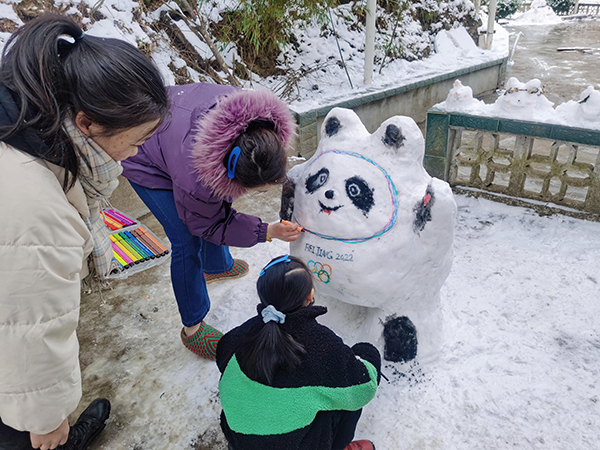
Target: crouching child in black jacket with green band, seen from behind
288	382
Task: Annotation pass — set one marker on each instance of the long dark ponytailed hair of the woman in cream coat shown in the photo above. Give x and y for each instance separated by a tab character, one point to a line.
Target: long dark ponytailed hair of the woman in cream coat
54	71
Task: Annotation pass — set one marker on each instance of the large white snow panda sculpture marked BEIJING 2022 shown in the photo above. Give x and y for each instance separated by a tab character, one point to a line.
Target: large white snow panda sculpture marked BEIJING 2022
378	233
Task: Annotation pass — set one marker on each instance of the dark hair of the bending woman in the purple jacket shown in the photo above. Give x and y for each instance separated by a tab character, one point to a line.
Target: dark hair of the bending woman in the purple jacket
262	160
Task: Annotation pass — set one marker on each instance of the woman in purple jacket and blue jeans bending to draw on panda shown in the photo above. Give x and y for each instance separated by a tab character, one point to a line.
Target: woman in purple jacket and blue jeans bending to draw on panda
219	143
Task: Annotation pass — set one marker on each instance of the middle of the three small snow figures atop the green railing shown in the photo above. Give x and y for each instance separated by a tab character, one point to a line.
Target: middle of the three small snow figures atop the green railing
525	101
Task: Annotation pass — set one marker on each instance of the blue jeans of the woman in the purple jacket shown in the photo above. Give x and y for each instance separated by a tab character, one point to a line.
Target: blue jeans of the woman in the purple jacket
191	256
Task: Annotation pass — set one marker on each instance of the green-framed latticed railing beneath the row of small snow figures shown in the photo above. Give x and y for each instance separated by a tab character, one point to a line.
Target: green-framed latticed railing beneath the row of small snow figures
538	161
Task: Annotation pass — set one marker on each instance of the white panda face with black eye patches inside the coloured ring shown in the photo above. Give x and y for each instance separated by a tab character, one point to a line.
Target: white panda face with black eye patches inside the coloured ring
345	195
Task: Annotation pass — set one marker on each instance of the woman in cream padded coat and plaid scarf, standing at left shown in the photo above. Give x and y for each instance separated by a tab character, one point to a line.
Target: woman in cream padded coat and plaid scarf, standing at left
71	107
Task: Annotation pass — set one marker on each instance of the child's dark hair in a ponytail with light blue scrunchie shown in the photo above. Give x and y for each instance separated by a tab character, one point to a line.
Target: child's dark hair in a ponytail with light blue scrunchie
286	286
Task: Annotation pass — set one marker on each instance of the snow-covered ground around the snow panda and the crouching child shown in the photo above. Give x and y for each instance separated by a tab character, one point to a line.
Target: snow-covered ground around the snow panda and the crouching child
519	366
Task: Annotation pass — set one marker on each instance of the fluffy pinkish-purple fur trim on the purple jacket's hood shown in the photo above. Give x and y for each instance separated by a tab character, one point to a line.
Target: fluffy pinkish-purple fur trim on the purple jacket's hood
216	132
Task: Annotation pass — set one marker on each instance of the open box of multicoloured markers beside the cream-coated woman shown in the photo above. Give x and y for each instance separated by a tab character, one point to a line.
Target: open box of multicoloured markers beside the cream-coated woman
135	247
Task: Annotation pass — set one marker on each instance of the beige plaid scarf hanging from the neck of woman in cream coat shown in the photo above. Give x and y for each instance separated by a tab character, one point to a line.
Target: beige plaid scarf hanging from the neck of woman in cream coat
99	180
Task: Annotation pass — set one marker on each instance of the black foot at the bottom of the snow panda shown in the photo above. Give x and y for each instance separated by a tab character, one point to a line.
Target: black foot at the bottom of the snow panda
400	336
